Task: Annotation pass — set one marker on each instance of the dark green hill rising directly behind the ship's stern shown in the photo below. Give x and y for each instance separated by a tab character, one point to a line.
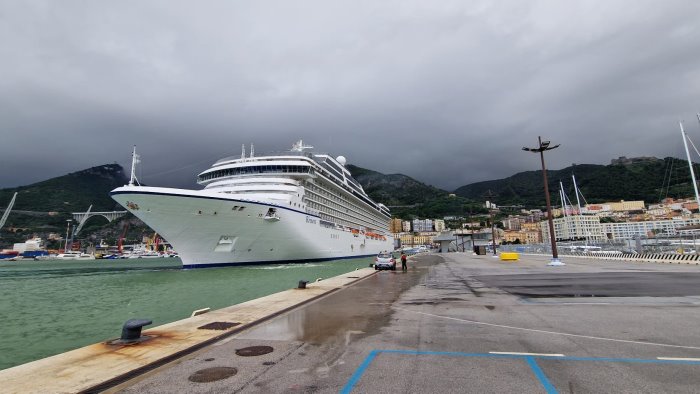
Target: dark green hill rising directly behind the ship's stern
407	197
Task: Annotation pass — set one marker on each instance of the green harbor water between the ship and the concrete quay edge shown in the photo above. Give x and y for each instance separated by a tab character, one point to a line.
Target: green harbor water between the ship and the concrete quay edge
49	307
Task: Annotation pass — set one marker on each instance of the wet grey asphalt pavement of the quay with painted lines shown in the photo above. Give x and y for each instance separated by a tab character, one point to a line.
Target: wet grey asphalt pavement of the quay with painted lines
453	323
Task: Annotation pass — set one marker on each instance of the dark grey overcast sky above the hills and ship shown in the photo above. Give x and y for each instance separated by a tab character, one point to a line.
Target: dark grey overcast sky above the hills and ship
447	92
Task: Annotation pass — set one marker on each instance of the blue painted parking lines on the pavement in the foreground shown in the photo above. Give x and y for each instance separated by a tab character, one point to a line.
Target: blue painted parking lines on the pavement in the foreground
530	359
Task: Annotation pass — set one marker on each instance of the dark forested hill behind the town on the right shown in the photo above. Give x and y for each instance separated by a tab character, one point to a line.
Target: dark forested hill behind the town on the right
650	181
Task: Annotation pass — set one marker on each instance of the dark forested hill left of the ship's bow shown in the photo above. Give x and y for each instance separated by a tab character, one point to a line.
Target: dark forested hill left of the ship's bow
74	192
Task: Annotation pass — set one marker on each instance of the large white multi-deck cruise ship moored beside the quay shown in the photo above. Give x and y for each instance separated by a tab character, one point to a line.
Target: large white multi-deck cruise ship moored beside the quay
296	206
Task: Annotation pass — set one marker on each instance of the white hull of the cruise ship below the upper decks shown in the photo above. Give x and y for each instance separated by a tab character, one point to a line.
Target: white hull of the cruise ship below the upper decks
208	229
